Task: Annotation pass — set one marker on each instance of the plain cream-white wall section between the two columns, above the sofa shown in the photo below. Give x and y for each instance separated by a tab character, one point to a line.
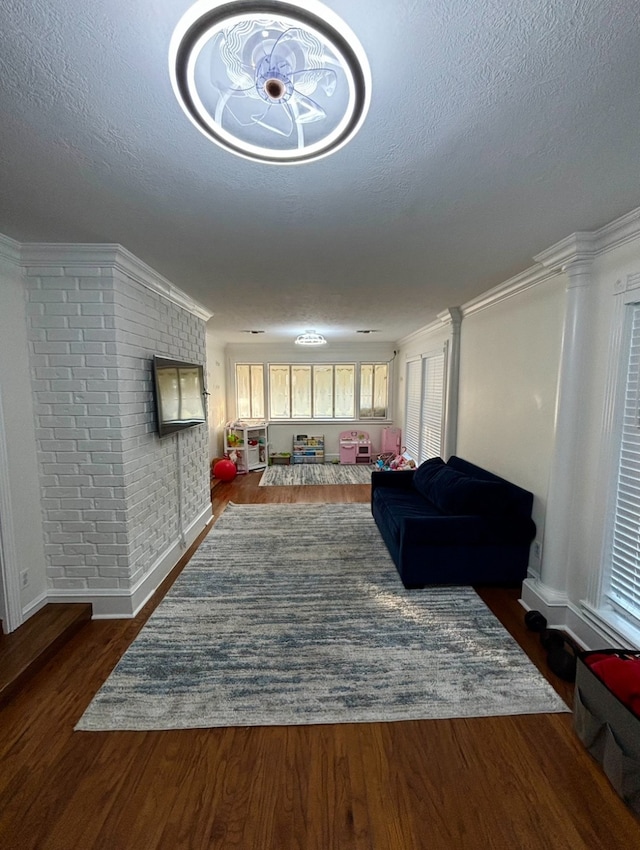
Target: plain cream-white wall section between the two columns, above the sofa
509	356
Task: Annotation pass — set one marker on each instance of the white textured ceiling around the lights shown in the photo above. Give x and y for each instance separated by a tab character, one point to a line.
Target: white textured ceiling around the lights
495	129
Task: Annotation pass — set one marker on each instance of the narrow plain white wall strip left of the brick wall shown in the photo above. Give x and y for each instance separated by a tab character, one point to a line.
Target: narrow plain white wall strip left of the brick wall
24	524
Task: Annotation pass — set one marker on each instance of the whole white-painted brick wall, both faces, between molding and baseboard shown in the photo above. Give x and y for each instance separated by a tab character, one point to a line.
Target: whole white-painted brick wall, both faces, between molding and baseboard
110	498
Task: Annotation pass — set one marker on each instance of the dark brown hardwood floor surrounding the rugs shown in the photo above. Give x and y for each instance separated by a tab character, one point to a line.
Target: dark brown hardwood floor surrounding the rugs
497	782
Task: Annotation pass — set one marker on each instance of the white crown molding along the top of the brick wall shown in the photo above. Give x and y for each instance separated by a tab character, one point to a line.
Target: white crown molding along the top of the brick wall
114	257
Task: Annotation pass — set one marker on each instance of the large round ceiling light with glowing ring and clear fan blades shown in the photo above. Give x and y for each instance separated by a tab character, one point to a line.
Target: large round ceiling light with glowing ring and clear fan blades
273	81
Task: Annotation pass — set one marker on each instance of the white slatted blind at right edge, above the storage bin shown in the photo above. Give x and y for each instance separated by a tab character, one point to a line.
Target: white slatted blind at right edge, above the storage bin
623	591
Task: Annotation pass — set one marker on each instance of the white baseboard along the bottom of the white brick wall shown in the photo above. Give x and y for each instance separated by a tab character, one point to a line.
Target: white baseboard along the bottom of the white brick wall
117	604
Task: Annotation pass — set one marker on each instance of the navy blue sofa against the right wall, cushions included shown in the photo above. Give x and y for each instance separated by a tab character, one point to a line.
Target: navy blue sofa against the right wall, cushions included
453	523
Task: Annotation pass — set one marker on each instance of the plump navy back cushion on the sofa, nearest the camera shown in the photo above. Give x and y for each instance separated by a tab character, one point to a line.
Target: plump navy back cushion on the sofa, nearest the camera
455	493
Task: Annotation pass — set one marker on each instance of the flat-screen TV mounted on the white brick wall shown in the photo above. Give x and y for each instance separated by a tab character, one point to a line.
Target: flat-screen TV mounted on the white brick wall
180	394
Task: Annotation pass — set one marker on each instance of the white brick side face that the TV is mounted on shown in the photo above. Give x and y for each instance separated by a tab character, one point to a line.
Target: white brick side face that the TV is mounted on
149	324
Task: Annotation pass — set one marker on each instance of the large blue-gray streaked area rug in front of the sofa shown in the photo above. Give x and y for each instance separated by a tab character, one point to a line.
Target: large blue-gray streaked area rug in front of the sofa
295	614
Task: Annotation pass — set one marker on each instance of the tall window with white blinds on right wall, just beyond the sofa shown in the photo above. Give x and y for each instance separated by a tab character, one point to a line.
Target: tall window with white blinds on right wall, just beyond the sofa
424	406
